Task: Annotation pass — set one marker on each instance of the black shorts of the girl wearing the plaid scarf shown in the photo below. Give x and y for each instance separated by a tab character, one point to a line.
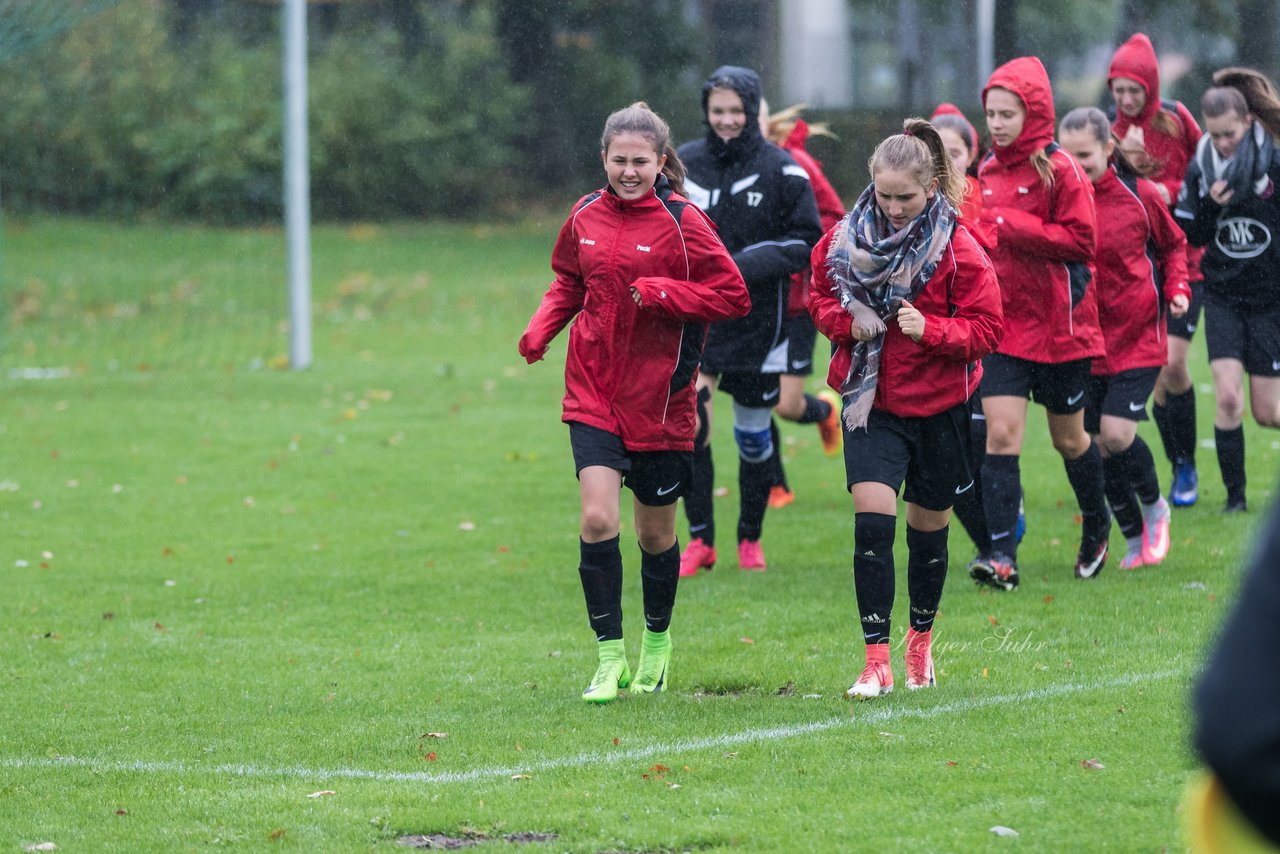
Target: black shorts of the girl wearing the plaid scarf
932	455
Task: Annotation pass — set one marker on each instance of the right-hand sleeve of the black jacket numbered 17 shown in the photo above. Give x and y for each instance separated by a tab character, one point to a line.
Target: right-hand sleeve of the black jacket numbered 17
788	252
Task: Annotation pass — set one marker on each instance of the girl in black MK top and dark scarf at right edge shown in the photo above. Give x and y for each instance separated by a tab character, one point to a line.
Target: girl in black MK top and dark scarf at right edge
1229	205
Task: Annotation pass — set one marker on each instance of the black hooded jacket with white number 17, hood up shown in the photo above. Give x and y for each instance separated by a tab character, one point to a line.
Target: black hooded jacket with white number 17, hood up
765	208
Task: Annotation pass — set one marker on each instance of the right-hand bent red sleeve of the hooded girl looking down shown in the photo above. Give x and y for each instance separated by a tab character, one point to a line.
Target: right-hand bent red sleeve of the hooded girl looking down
1069	235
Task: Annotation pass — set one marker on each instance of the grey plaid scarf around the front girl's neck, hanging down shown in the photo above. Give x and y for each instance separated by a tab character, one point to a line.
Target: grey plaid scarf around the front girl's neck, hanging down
876	268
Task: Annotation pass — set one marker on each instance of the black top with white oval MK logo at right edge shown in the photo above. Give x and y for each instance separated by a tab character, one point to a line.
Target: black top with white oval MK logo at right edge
1242	259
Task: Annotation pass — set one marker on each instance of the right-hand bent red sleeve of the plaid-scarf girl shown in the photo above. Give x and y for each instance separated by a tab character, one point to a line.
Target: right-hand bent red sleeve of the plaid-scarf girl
977	321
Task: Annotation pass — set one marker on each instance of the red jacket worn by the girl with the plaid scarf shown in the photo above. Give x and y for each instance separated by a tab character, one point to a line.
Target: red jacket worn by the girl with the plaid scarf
963	325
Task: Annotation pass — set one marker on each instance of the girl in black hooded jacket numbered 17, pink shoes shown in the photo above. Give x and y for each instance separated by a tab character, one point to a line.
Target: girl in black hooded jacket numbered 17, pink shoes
765	208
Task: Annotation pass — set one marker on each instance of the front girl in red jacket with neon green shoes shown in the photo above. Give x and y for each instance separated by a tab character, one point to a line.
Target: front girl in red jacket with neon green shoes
642	273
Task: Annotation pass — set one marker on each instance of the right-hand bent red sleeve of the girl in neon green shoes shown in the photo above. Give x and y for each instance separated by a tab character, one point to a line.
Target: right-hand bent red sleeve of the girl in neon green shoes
715	290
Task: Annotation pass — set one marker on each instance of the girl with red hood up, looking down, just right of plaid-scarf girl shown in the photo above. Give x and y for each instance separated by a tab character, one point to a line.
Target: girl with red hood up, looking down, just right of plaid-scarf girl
1037	207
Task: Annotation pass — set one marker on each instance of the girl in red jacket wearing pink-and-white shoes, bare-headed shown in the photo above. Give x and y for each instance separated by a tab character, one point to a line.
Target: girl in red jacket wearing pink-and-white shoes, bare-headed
1141	268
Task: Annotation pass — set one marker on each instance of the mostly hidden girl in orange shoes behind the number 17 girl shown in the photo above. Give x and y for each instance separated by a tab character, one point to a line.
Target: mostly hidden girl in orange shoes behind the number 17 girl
790	133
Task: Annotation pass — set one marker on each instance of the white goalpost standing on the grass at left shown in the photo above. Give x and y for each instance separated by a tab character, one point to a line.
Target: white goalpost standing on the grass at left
298	182
